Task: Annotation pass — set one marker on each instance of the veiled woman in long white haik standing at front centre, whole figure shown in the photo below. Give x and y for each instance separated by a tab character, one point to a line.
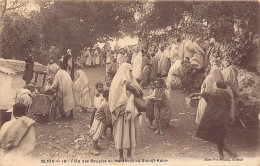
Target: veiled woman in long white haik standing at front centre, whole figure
125	117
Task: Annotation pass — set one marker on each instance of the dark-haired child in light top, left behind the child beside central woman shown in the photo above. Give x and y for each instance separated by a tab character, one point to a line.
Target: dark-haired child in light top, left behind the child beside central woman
98	97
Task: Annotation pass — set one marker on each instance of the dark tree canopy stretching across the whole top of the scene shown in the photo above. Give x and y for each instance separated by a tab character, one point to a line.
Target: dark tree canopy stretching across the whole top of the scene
60	25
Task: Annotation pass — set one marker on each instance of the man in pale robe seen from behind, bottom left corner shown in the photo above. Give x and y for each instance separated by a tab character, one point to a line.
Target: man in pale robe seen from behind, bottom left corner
17	136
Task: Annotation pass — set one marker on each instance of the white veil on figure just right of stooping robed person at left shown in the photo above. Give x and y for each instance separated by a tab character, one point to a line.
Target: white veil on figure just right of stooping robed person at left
82	83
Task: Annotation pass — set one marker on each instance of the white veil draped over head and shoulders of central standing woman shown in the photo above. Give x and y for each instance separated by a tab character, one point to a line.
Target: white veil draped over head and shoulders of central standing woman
117	94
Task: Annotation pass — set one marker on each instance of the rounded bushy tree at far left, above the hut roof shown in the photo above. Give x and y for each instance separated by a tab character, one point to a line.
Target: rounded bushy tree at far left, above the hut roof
19	37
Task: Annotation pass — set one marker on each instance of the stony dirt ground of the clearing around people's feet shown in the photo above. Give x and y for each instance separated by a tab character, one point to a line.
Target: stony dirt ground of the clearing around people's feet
69	139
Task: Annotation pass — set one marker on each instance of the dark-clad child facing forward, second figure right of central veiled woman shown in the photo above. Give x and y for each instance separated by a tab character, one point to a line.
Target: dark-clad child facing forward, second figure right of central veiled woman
162	112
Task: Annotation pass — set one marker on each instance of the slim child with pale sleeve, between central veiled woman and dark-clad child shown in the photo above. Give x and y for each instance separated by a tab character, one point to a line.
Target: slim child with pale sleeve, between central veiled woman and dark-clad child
150	103
